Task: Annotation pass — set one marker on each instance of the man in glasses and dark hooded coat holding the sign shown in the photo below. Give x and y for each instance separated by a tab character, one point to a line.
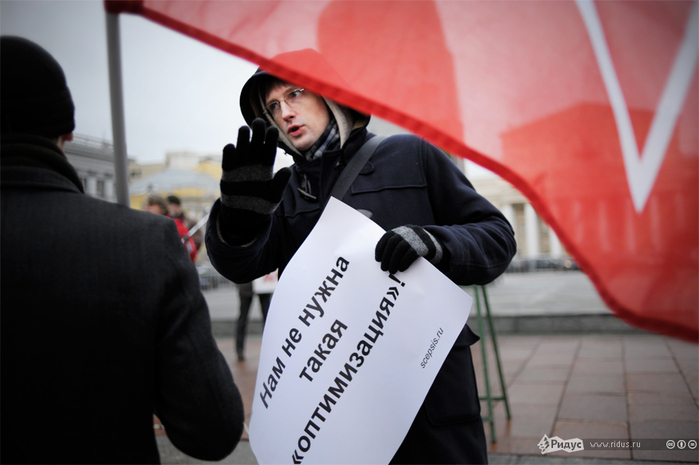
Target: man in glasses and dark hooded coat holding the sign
408	187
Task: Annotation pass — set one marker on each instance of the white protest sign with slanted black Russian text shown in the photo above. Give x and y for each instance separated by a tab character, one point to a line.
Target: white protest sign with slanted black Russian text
348	351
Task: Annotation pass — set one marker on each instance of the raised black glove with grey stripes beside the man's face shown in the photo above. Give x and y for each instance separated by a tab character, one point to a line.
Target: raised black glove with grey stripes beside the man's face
249	191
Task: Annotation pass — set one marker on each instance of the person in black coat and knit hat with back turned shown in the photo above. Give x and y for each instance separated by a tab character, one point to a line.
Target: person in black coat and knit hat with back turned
103	321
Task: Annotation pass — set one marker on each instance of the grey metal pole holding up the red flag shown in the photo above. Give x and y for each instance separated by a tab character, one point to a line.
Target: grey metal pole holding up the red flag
121	165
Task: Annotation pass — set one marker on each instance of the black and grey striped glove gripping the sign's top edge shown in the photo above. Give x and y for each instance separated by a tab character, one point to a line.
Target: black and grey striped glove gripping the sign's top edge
399	248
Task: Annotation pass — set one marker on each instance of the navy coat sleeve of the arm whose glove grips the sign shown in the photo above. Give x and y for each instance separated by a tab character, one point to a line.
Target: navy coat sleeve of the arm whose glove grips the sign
479	240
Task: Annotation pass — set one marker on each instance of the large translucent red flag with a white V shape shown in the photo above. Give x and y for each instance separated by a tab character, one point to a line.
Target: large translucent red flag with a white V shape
588	108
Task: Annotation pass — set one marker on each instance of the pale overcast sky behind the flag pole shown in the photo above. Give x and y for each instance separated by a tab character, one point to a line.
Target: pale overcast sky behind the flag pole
179	94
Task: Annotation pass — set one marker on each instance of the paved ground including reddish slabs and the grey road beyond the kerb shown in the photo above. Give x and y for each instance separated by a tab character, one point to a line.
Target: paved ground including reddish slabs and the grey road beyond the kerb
583	381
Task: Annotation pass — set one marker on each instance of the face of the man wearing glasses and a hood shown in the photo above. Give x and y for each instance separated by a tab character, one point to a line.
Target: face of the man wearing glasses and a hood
304	122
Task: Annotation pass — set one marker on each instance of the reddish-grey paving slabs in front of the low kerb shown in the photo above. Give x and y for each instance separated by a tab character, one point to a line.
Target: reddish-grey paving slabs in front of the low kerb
628	388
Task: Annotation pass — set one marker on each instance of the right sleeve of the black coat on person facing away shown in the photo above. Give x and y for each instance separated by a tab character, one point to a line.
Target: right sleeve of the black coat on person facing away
197	400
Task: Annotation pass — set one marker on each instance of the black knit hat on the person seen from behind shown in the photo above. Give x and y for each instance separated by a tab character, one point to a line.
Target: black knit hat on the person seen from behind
34	95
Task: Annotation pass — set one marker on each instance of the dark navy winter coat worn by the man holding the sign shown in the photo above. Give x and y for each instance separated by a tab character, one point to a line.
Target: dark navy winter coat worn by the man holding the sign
407	181
